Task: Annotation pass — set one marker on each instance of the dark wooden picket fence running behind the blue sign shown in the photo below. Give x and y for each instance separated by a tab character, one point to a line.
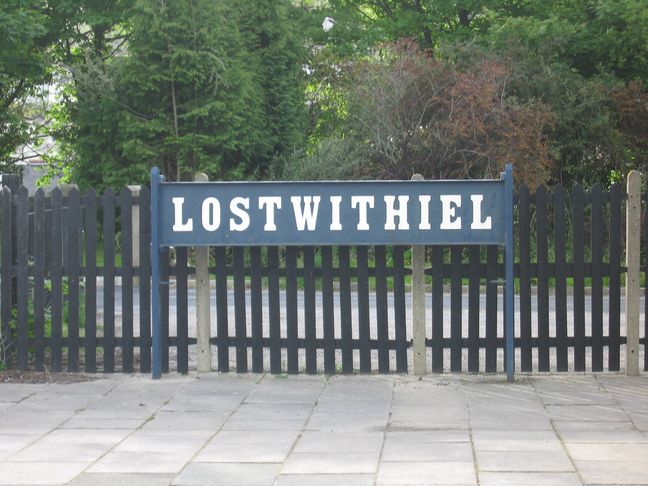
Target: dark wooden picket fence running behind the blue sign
72	299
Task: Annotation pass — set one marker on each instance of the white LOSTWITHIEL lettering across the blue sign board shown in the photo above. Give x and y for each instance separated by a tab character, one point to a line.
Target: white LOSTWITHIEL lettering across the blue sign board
238	214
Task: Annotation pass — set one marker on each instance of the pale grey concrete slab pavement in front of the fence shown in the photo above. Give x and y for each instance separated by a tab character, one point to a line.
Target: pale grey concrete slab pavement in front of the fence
312	430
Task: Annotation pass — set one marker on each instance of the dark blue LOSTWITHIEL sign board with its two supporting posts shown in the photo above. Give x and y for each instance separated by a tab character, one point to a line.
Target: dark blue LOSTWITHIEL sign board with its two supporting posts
332	213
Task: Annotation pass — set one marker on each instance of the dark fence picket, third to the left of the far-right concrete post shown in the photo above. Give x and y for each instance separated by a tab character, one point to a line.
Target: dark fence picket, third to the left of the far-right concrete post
578	244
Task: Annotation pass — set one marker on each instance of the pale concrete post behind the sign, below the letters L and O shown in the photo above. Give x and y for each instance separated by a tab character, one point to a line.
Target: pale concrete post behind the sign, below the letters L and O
203	298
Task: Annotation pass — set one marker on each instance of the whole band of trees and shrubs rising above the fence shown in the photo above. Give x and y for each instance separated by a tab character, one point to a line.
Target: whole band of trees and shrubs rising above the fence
326	88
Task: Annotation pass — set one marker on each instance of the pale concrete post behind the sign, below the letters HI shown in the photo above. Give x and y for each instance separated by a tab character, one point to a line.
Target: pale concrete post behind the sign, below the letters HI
418	304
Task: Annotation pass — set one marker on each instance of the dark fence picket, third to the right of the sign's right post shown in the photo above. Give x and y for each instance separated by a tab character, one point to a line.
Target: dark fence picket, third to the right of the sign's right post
561	282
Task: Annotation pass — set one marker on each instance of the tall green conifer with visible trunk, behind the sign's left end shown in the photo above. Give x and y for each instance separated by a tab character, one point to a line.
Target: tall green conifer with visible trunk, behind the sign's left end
180	98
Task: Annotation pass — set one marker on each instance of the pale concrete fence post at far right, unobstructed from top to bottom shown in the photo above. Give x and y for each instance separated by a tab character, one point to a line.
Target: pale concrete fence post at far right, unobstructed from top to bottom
633	237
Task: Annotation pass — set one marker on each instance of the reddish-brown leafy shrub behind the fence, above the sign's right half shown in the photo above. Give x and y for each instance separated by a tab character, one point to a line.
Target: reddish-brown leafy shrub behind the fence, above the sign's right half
421	115
